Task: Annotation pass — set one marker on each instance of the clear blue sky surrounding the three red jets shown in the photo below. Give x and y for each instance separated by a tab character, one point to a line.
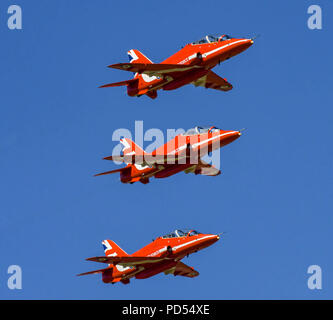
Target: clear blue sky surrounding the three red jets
274	197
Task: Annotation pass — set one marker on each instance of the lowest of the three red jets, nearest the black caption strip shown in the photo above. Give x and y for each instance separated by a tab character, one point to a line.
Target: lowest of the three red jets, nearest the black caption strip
162	255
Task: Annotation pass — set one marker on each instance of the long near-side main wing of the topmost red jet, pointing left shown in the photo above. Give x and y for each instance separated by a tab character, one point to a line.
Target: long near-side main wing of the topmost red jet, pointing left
153	69
